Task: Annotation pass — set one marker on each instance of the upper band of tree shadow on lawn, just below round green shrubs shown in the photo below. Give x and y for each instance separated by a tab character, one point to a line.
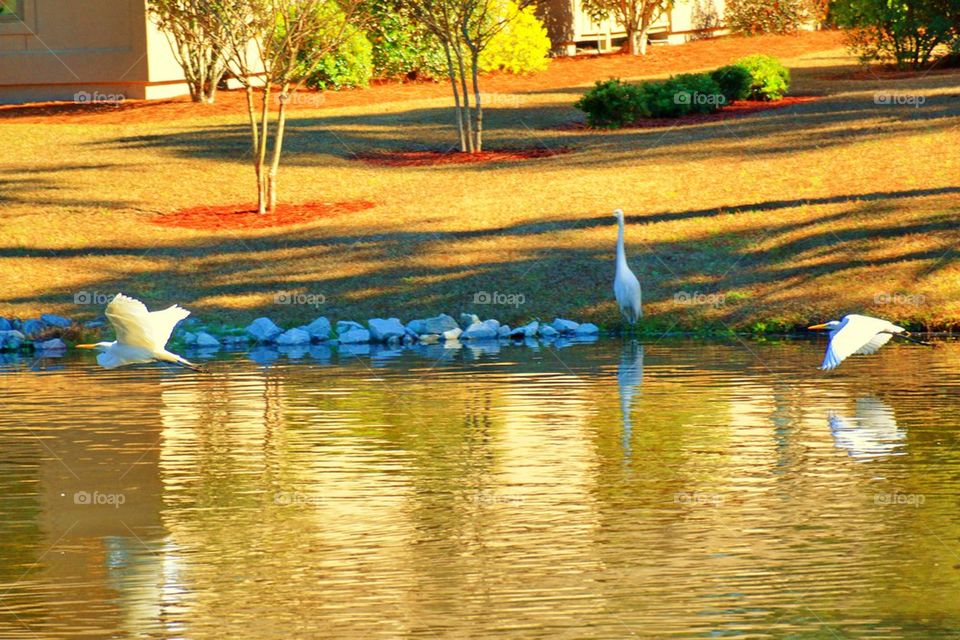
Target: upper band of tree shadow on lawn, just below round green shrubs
312	141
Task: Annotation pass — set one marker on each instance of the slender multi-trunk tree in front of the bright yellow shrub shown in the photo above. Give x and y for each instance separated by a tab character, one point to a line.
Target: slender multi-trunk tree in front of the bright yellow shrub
464	28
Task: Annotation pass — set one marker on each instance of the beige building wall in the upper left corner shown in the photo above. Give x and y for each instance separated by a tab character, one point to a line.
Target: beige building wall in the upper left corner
85	50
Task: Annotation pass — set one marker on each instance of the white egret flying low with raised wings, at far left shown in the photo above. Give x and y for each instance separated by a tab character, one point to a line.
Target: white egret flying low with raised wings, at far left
141	335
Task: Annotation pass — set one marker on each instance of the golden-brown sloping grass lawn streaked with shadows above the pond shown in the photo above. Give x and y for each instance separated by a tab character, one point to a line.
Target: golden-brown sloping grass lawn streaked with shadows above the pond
765	222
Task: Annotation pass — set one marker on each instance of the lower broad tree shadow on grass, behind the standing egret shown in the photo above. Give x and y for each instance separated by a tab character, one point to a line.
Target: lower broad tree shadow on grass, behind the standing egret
412	273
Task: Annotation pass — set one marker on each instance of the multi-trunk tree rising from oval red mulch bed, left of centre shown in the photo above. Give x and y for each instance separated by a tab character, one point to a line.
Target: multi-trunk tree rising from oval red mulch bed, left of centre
274	45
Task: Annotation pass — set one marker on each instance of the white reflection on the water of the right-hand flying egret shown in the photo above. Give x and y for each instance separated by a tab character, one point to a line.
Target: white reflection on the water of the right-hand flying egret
871	433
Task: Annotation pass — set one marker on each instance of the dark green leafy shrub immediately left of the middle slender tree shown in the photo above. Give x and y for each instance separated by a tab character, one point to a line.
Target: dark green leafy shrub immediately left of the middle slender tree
402	46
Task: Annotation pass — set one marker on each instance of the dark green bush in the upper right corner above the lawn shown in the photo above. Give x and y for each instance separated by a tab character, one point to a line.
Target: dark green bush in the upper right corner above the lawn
907	33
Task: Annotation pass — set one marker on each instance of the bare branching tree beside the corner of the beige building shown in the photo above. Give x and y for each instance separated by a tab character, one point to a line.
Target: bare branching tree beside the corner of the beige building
193	32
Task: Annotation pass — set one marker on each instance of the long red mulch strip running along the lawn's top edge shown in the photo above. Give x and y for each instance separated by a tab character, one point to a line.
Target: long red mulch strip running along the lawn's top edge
562	73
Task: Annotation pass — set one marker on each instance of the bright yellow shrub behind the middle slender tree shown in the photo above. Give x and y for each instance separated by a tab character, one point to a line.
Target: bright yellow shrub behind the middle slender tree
521	47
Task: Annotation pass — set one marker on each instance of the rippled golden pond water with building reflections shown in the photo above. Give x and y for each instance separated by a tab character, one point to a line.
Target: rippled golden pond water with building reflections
606	490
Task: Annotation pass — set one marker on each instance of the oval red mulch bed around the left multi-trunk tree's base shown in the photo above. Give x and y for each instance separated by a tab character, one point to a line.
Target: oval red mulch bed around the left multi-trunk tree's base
220	217
